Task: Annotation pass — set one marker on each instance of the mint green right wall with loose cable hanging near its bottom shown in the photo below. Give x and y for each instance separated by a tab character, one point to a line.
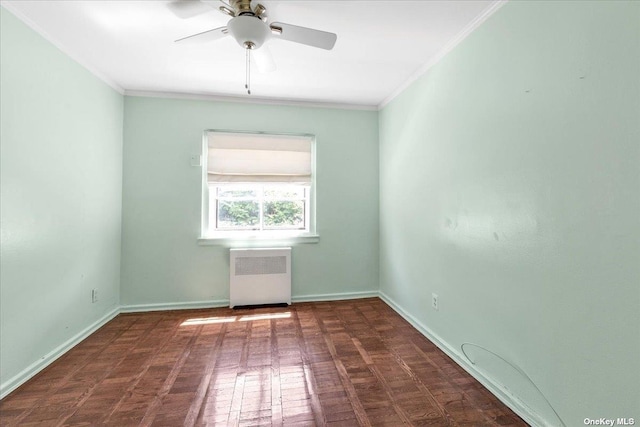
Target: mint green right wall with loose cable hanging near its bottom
510	186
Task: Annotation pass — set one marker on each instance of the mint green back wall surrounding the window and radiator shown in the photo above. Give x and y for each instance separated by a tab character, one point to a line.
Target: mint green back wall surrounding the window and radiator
161	259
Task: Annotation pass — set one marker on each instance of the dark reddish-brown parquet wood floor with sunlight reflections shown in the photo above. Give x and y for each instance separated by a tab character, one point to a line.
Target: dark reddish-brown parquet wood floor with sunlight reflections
345	363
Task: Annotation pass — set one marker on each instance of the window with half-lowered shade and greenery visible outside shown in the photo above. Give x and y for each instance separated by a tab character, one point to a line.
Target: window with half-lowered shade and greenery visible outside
257	186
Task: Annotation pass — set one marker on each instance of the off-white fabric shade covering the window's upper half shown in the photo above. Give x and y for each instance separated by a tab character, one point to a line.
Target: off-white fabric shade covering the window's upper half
258	158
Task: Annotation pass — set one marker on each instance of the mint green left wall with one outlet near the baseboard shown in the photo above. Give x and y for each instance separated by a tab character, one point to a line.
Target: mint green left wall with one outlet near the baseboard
61	176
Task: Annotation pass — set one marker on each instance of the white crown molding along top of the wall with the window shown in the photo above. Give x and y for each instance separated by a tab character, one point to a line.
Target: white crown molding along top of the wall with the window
252	100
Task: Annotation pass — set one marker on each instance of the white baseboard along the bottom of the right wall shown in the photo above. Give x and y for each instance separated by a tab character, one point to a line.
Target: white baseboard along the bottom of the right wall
496	389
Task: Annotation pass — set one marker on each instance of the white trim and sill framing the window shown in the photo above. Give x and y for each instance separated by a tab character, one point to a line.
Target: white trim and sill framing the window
251	238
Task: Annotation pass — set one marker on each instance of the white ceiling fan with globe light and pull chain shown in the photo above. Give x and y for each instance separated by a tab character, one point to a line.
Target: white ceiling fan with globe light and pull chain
248	26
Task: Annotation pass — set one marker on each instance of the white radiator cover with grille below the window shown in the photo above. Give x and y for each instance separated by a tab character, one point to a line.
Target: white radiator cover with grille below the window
259	276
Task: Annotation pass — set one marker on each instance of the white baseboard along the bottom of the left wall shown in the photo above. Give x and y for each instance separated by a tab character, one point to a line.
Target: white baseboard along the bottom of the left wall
17	380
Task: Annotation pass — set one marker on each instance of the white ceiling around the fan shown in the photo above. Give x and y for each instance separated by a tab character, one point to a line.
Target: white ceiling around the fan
382	45
